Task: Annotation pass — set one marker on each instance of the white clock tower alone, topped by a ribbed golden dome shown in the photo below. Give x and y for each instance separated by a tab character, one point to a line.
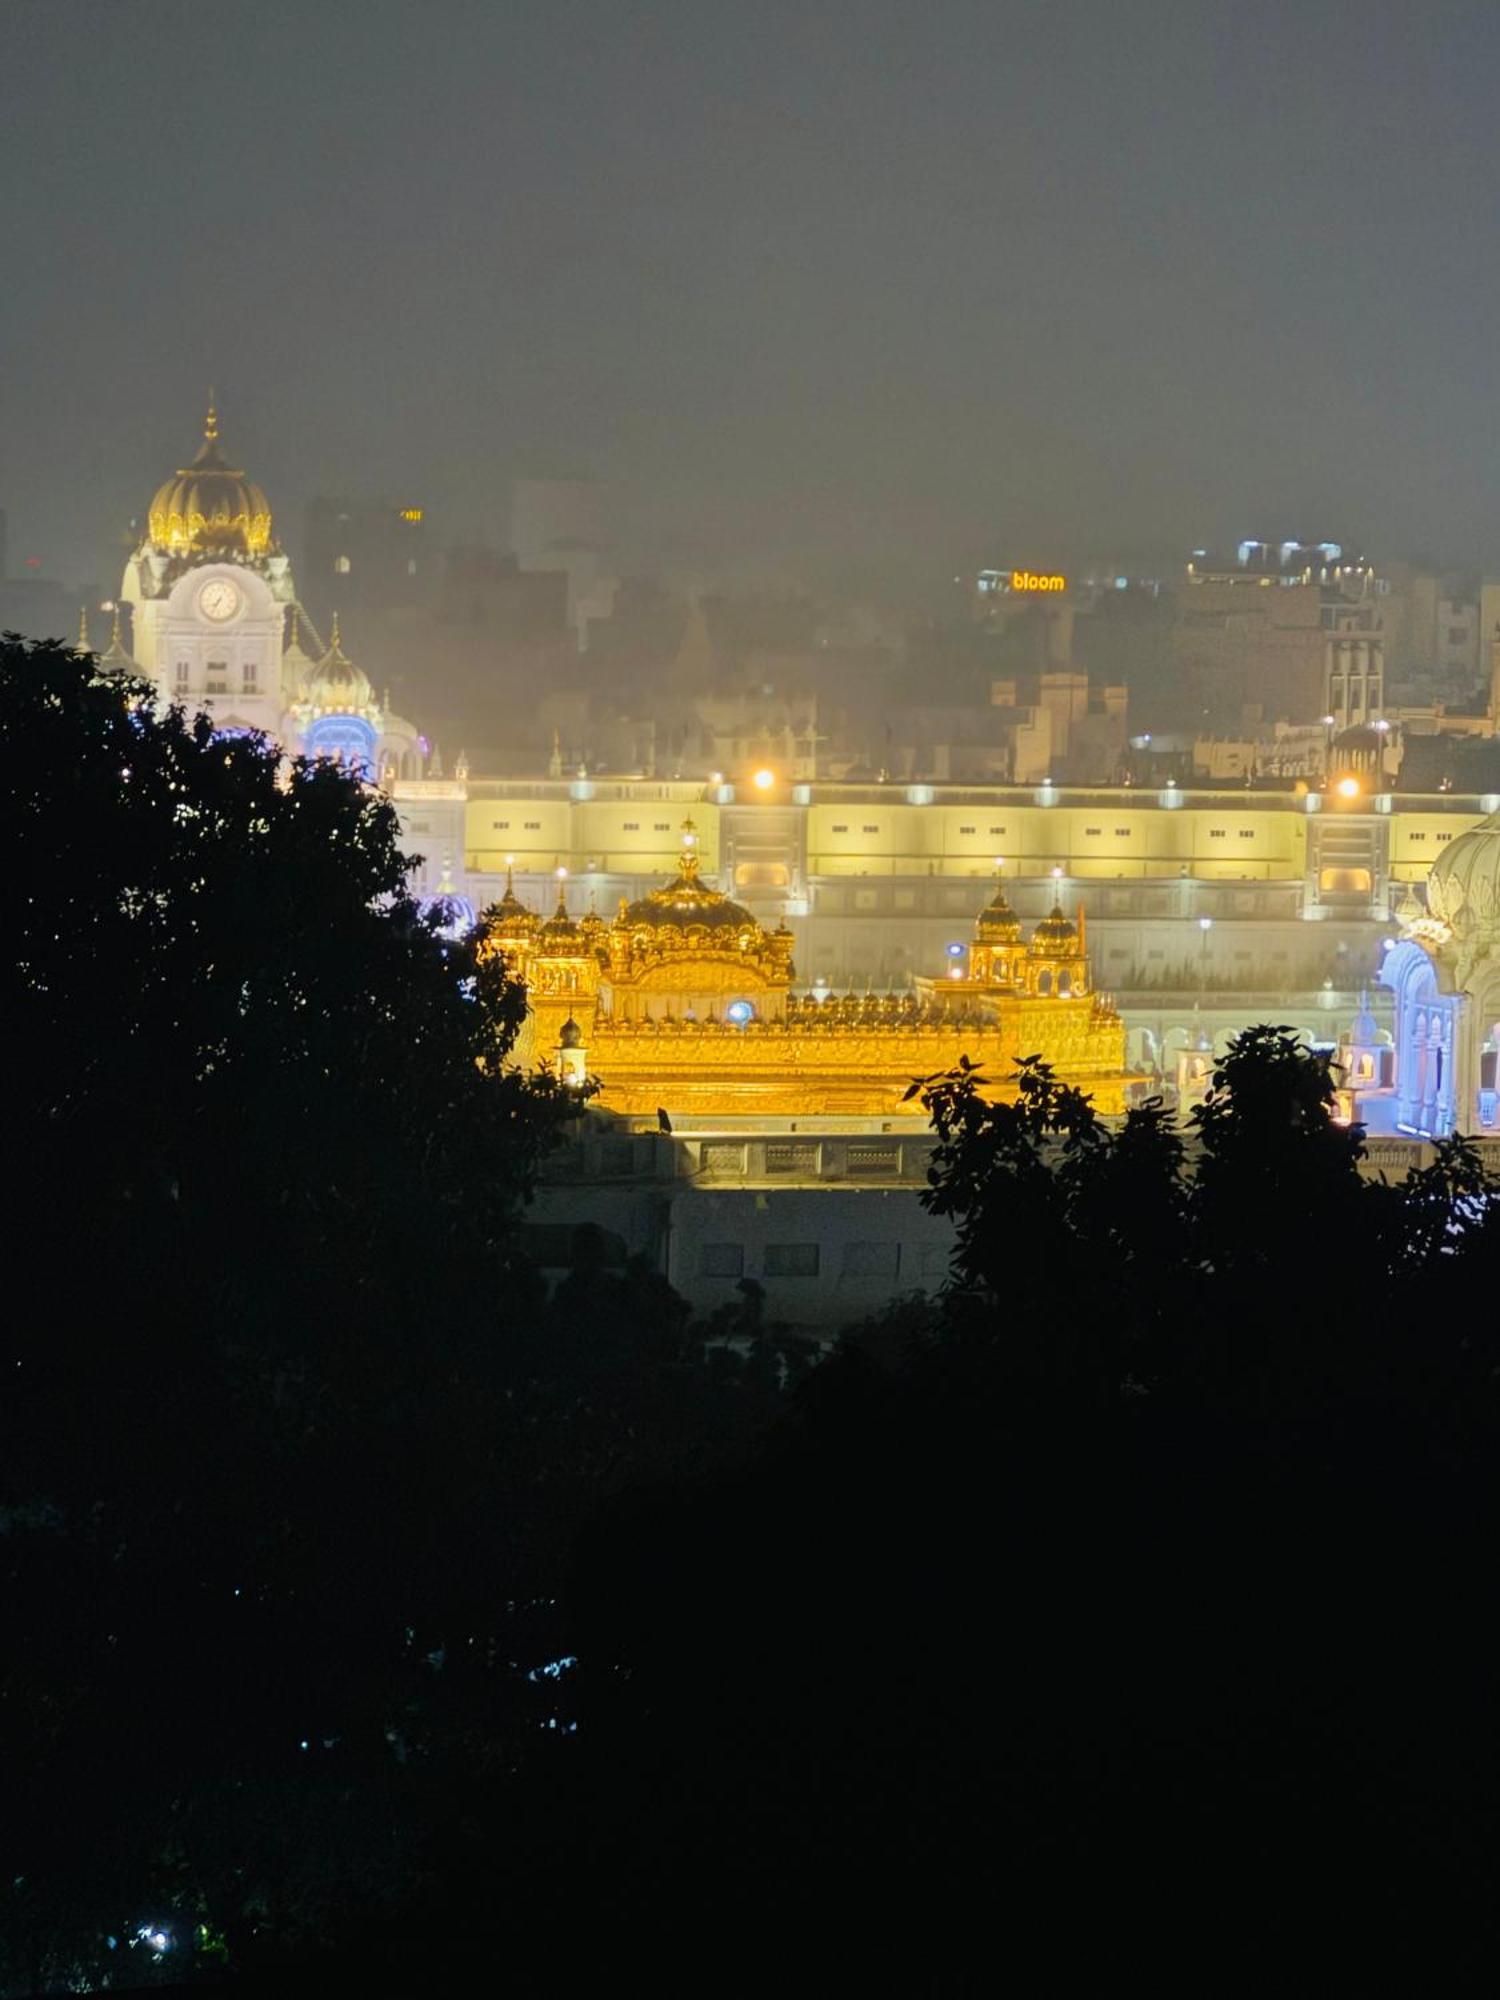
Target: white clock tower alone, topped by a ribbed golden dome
209	591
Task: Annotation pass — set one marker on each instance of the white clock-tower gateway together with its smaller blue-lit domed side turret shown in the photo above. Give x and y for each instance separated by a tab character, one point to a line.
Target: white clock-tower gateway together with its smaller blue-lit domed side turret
217	625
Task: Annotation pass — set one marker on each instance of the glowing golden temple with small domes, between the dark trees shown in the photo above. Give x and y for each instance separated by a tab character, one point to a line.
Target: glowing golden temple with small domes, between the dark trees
685	1003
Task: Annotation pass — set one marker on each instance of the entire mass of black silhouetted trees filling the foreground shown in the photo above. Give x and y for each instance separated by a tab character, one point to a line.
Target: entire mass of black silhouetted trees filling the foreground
375	1621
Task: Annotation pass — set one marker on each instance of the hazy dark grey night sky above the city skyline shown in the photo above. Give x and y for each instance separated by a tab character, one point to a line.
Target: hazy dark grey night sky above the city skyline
829	287
